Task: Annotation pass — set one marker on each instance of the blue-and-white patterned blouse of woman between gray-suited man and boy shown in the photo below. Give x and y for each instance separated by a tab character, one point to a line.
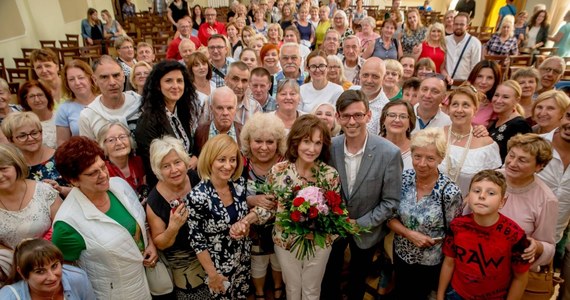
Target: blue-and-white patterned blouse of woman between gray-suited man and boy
425	216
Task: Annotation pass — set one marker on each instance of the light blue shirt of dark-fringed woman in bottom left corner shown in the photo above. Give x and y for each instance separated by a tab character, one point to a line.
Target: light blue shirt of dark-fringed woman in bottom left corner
76	286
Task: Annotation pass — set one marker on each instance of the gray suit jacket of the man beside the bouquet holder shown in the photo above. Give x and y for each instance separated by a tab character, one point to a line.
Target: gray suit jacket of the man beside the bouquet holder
375	196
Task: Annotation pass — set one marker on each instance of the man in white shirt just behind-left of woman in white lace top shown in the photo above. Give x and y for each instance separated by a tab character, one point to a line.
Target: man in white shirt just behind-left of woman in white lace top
431	94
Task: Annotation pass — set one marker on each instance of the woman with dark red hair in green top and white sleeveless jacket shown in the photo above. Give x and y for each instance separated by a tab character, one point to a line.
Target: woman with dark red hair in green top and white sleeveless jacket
102	225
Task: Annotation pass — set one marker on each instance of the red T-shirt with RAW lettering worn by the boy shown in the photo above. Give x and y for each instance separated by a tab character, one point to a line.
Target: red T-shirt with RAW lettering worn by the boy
485	257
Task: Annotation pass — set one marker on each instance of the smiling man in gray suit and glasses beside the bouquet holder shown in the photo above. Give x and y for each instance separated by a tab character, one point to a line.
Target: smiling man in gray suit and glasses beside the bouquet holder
370	169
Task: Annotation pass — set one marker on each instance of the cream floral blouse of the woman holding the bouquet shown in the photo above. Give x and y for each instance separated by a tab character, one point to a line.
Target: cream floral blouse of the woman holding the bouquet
284	175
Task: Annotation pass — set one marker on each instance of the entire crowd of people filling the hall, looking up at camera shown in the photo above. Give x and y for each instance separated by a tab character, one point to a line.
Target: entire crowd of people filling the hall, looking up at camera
113	173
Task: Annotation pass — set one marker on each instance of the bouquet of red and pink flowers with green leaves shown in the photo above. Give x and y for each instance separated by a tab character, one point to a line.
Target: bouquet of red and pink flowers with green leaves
313	213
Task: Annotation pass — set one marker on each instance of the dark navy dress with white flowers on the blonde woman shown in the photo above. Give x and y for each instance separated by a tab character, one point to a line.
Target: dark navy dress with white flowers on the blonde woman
210	223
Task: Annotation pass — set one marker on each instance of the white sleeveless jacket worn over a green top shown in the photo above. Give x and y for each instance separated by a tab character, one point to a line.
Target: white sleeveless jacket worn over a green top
112	259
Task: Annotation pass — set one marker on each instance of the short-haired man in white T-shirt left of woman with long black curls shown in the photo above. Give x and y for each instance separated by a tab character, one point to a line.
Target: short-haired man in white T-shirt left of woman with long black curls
113	105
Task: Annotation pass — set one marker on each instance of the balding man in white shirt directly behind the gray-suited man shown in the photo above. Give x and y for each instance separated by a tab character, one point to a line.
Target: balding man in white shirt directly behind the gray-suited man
371	79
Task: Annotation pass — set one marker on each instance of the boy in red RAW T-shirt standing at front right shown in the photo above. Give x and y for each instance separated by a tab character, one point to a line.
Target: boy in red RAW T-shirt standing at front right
483	249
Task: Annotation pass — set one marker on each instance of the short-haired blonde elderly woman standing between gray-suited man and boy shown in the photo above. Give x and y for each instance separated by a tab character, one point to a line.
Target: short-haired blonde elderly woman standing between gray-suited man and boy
430	200
